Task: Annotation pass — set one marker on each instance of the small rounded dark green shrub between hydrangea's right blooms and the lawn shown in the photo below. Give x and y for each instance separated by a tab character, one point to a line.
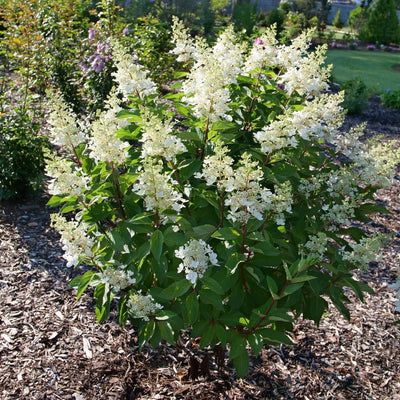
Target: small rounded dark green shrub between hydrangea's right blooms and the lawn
356	95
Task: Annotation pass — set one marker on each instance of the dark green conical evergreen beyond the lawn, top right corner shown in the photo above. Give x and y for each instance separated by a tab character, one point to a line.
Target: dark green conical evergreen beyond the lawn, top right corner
382	25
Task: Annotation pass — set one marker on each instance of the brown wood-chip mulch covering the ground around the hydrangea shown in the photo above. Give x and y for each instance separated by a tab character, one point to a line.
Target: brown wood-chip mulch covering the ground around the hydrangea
51	346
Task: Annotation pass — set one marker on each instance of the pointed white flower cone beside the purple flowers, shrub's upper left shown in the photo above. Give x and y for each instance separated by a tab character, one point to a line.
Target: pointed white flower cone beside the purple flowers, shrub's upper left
130	75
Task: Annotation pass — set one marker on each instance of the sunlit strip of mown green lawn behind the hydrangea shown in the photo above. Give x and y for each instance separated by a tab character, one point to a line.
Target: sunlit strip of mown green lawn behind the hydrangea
374	68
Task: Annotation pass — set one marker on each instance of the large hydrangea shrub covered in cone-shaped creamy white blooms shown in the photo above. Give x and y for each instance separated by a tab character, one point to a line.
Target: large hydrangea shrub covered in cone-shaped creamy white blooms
228	208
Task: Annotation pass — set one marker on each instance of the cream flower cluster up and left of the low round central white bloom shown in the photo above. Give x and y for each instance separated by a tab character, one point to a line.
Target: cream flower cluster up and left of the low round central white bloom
156	188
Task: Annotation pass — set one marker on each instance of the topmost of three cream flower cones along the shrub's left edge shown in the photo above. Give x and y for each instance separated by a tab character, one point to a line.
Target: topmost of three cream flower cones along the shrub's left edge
65	131
